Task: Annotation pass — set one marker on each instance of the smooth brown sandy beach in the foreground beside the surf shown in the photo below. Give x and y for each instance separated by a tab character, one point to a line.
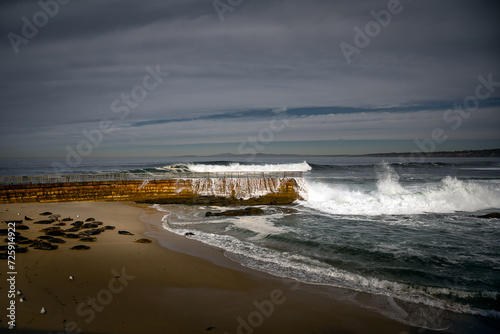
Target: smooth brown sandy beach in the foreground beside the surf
171	285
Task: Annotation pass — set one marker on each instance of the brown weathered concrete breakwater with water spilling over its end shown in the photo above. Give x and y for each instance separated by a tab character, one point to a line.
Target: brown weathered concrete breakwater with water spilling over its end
199	188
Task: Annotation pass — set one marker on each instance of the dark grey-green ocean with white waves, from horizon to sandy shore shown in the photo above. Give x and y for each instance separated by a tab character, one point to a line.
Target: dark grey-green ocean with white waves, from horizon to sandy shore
406	232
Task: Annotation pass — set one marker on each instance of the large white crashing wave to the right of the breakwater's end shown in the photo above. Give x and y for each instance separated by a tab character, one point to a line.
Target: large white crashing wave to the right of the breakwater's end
391	198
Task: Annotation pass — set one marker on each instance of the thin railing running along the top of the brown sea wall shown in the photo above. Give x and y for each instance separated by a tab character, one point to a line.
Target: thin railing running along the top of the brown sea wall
115	177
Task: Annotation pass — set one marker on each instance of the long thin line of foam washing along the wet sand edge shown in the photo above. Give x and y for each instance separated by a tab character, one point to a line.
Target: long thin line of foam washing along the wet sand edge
308	270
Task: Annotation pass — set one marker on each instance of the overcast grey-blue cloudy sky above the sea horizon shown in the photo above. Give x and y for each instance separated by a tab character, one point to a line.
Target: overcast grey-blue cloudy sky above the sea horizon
172	77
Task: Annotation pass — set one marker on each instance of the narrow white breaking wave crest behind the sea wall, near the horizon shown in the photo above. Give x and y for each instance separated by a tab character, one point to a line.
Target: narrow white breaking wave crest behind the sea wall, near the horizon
236	167
